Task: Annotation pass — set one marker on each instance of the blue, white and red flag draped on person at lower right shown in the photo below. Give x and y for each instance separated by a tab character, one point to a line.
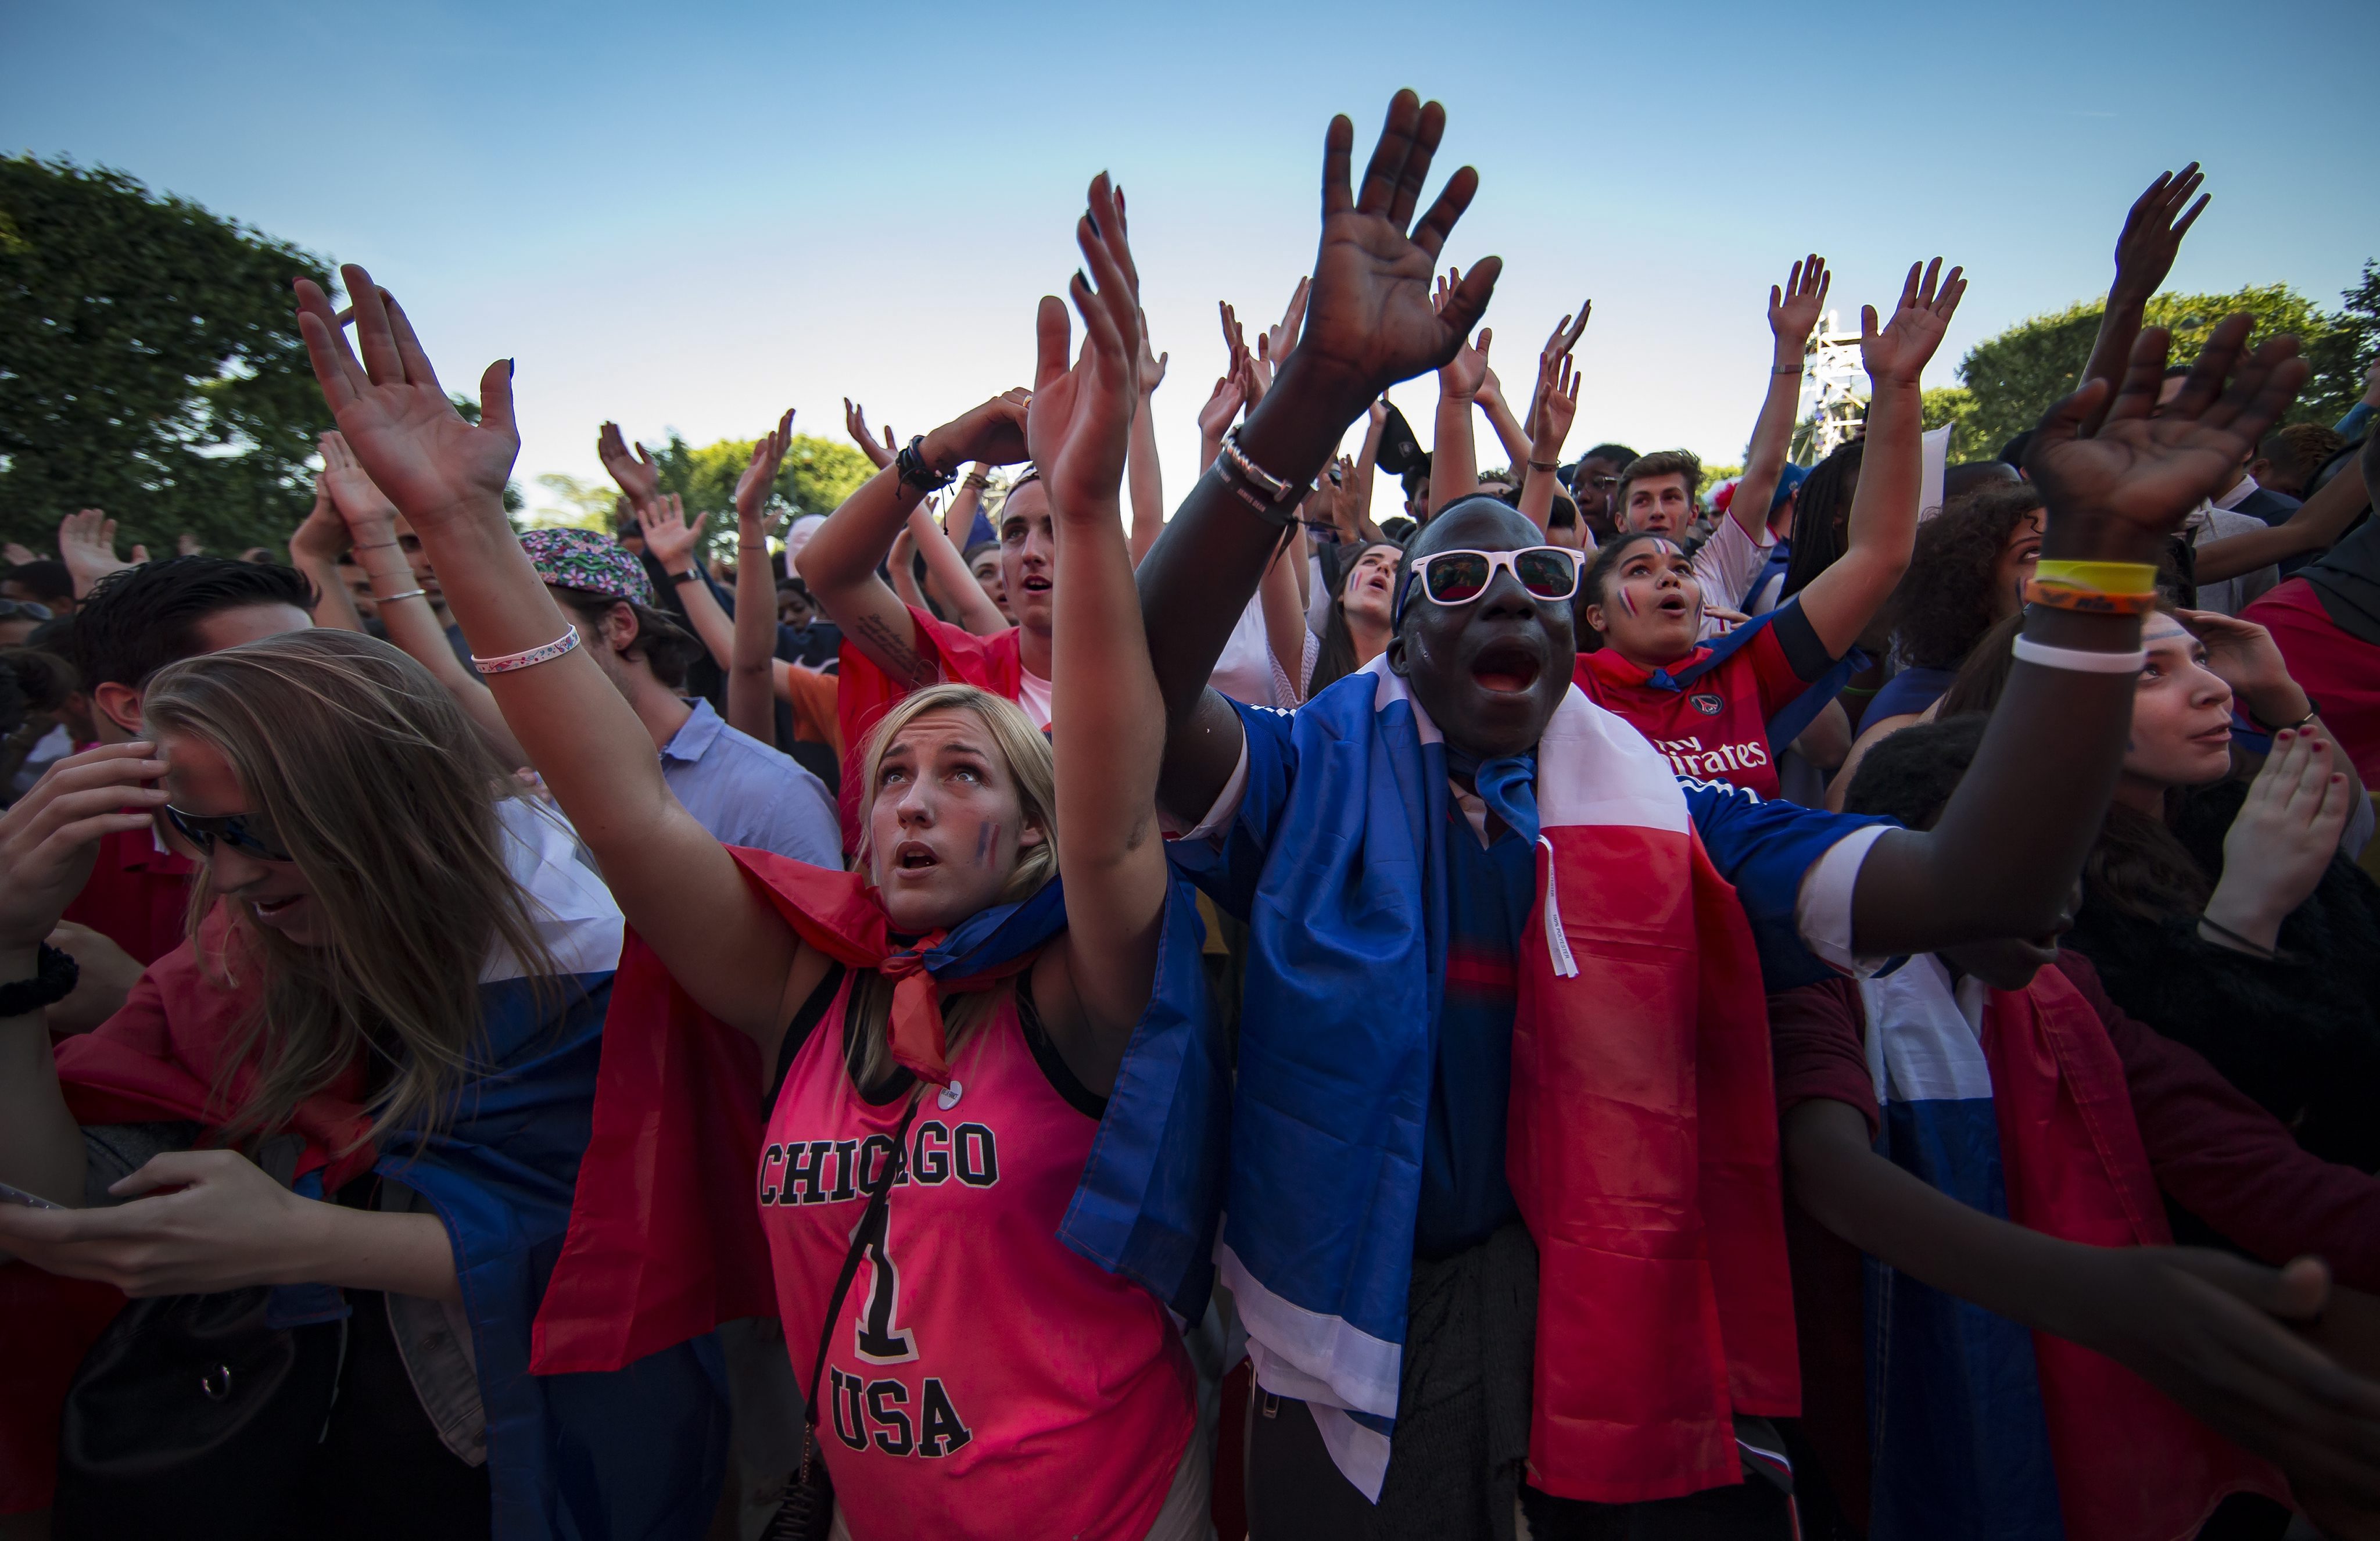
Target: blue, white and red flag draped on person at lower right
1981	1430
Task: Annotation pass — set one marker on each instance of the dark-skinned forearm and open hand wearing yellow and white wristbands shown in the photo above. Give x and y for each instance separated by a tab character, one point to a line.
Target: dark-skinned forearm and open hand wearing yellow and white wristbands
2008	849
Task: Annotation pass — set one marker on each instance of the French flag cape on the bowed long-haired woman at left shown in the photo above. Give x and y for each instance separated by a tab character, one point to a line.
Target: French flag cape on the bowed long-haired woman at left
625	1454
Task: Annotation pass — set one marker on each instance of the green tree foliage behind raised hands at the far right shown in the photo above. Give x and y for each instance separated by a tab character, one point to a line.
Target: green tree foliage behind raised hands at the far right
2017	375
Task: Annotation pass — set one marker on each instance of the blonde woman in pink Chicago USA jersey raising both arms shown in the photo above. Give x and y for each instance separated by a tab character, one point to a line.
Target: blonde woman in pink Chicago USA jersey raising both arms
939	1035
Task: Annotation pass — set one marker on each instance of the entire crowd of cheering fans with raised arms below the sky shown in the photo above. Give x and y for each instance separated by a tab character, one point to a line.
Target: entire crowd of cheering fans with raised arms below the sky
1593	1006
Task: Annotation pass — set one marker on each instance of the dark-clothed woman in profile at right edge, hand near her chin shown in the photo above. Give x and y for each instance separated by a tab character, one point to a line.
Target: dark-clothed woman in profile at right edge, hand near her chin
2226	911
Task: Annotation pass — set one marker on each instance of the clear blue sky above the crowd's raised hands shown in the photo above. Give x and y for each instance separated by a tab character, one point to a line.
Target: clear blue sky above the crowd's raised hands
699	216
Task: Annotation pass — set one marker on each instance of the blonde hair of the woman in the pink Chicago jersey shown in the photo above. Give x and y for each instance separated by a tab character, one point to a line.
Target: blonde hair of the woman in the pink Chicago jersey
1034	773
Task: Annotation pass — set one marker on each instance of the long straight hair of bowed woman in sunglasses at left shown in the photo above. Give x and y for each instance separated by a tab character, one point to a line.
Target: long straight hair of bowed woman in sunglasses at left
387	799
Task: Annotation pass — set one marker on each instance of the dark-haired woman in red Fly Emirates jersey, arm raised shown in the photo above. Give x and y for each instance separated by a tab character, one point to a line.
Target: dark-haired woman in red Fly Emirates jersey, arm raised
1720	709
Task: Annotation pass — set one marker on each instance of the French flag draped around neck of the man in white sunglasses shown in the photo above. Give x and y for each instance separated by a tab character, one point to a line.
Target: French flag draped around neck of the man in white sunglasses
1643	1133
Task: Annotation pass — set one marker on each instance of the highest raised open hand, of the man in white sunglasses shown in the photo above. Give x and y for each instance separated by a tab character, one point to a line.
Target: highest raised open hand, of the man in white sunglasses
1370	316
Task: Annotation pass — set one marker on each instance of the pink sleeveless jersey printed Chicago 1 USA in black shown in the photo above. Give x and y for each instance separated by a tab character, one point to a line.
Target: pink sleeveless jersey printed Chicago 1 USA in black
982	1378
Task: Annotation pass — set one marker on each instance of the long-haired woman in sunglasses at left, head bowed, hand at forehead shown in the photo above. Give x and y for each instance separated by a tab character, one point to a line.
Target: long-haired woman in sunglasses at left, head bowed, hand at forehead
370	1068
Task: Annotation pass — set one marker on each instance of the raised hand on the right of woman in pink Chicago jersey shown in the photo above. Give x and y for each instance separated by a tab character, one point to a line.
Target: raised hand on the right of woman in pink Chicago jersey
1082	418
